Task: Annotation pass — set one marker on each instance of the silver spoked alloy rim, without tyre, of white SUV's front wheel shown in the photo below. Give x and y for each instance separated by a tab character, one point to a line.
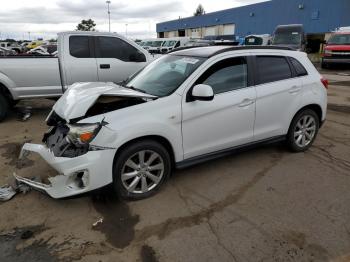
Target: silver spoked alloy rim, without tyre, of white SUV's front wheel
142	171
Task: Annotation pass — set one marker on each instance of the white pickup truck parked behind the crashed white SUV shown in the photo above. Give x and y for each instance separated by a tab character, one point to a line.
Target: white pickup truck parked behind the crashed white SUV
82	57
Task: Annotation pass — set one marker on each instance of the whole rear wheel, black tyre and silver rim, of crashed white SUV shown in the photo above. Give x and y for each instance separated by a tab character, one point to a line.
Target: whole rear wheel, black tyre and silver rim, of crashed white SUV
303	130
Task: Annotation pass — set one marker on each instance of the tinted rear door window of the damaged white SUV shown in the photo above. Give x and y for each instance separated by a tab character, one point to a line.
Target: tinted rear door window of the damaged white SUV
273	68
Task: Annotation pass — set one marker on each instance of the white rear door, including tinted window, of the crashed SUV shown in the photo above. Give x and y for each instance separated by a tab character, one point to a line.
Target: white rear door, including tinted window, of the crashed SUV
279	96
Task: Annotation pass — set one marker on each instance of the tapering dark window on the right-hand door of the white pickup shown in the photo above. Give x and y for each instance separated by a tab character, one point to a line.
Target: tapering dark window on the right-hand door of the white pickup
112	47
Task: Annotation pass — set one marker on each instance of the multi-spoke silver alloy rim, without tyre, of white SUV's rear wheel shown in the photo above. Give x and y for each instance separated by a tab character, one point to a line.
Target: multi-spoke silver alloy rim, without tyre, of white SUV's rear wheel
305	130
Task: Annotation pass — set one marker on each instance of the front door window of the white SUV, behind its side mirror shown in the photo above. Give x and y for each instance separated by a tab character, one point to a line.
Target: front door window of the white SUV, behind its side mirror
226	75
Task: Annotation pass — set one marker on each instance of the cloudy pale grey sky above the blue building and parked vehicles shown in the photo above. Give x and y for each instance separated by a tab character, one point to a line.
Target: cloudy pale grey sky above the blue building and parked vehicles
24	19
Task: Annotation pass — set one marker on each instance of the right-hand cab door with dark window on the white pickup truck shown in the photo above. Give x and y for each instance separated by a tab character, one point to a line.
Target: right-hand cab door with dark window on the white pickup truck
117	59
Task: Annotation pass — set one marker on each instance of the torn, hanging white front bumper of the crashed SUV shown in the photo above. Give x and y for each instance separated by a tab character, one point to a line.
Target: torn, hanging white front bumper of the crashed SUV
76	175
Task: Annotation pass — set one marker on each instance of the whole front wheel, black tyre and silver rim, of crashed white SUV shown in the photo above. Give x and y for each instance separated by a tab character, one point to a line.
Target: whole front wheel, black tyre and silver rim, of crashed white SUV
141	169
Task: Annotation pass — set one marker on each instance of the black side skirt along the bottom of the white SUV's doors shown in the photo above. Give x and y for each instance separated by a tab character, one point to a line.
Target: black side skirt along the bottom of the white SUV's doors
214	155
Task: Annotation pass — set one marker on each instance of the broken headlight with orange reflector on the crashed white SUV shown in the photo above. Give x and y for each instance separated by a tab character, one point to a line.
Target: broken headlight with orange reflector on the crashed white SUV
83	133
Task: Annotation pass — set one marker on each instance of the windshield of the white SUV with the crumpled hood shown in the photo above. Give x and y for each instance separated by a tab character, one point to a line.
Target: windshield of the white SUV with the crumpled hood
163	76
